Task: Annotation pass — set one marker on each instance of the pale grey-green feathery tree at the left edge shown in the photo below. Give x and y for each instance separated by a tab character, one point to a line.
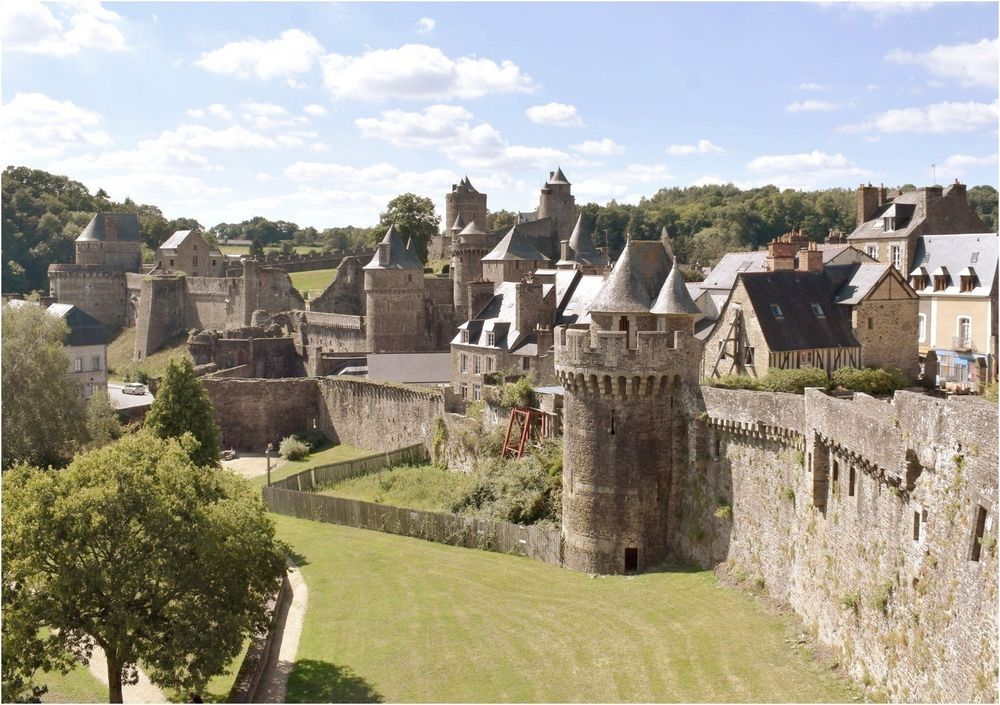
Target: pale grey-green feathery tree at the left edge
43	417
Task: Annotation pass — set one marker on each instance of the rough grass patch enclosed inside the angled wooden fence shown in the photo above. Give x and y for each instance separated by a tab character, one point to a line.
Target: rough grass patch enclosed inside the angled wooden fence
426	487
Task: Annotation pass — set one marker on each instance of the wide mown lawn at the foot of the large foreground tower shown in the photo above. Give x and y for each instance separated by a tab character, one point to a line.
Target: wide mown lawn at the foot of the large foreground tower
397	619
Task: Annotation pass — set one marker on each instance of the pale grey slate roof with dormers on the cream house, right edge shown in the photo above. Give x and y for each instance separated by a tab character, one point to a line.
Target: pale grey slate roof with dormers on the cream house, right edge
954	253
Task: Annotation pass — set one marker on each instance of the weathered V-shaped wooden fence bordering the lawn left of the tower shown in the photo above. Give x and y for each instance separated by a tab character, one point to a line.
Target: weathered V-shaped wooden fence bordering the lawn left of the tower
293	497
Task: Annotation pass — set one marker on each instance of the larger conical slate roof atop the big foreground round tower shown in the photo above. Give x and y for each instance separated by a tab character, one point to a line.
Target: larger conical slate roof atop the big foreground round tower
636	279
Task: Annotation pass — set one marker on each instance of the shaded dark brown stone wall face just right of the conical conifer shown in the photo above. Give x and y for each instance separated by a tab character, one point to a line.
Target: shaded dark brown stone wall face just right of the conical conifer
252	413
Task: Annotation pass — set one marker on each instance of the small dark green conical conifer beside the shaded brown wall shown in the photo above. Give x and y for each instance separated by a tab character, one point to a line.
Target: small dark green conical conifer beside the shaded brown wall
182	406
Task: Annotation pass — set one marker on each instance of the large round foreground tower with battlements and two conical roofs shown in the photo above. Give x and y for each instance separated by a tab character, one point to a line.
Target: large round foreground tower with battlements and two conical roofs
626	377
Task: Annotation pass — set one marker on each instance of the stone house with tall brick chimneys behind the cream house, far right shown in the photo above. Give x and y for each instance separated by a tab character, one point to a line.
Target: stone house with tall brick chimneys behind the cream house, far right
888	228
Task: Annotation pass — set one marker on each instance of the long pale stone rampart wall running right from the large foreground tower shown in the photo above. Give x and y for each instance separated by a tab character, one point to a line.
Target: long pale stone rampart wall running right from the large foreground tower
861	514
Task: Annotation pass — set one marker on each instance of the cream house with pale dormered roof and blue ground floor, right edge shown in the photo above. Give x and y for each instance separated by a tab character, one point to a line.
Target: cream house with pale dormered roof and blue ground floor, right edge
955	277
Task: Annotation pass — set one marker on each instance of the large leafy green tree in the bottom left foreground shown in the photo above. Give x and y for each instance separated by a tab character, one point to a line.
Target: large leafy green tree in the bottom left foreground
135	549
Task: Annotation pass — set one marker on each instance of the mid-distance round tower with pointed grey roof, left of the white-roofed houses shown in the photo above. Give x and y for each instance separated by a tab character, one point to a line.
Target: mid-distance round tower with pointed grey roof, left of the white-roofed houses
394	295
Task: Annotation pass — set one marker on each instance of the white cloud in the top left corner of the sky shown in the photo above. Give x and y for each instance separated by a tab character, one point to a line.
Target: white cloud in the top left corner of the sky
59	29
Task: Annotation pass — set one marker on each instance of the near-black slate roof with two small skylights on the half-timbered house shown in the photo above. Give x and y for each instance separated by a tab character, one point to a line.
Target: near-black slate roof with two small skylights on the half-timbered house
798	327
